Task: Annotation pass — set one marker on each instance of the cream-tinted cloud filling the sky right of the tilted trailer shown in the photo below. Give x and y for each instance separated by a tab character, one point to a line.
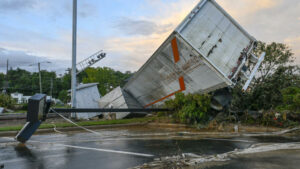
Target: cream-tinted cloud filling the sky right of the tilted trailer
268	20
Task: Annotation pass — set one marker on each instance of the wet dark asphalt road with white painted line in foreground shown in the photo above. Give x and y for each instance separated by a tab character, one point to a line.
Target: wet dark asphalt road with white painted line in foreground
134	147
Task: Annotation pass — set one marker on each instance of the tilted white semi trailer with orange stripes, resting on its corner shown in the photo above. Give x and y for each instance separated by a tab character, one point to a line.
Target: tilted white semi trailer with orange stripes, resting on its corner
208	51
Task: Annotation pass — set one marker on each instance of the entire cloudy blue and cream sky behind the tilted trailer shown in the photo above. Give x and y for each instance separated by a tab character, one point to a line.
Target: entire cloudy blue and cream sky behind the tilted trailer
129	31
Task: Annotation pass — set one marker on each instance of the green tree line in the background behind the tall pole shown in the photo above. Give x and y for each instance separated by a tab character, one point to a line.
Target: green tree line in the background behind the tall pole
23	81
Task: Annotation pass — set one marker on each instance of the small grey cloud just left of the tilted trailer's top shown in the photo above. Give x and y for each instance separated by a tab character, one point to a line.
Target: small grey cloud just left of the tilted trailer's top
140	27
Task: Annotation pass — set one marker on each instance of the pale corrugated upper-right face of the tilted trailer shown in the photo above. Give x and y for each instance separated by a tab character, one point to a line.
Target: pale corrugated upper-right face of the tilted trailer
216	36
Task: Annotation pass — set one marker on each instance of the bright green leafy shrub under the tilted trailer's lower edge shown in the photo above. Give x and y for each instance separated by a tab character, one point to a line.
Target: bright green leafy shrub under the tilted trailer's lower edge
190	108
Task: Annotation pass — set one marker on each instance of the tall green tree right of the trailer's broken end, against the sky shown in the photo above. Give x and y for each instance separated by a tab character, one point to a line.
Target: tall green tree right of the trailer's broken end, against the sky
276	73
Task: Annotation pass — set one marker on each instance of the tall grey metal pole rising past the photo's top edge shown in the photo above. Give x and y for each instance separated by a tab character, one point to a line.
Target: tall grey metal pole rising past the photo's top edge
73	82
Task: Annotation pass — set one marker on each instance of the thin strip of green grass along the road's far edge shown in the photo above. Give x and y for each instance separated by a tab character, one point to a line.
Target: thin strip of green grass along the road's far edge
82	123
